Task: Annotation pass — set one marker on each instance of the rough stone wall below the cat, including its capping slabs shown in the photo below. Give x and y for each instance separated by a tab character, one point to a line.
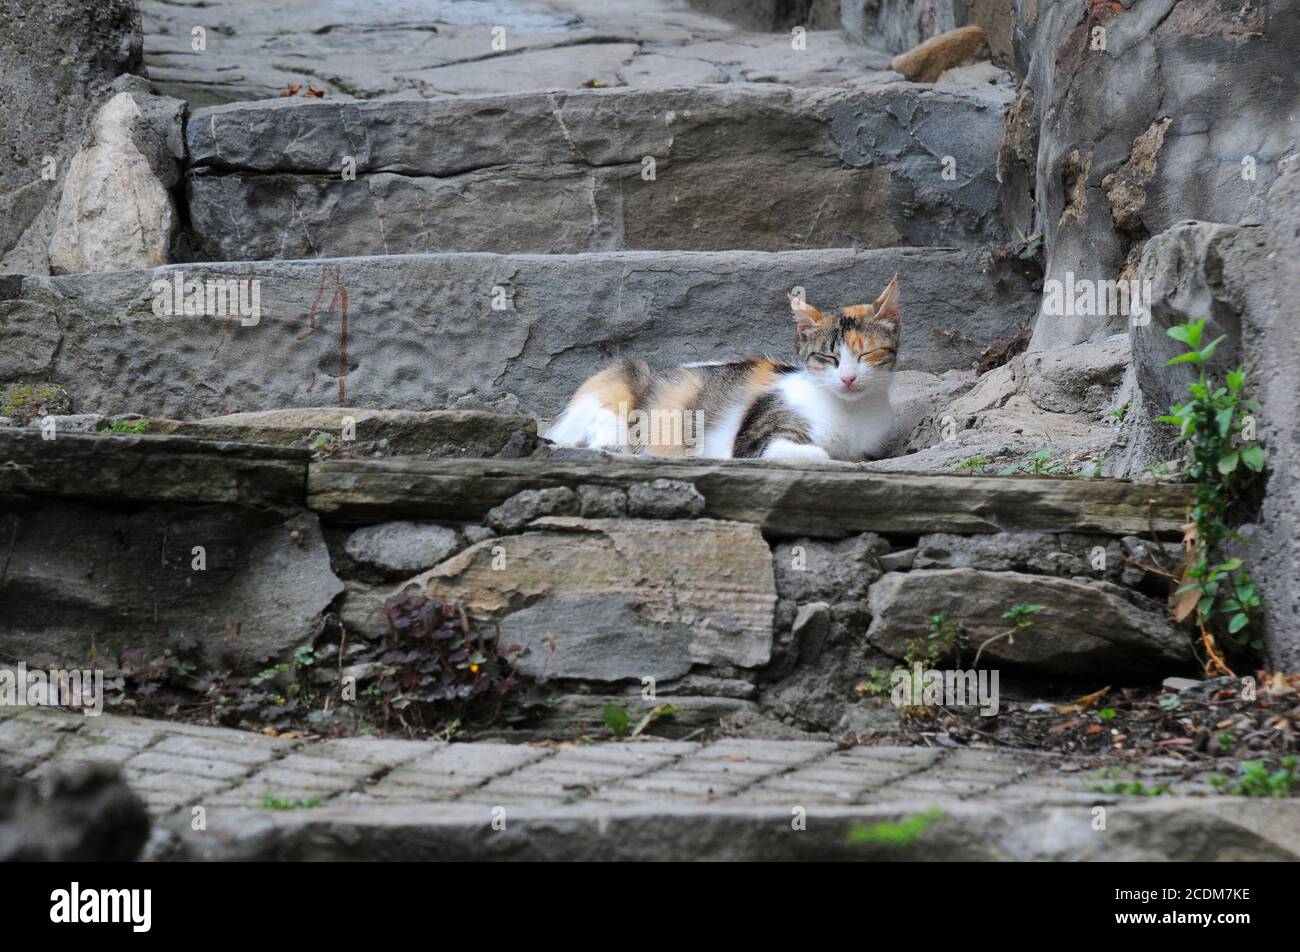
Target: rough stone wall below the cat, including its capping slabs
734	596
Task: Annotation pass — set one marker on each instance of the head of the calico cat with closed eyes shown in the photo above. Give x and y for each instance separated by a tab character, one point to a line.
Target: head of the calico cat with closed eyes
851	349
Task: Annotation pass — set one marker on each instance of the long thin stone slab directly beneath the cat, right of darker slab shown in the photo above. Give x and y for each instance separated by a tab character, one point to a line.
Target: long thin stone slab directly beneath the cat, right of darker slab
827	500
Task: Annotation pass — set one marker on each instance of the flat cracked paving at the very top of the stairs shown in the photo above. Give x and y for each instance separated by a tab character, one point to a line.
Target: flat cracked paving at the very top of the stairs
457	49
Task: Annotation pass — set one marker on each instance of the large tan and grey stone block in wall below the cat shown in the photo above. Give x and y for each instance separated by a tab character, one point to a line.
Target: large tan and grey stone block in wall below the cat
616	600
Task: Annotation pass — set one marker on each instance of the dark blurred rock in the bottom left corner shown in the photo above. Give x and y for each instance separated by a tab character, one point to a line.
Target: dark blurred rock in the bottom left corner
88	815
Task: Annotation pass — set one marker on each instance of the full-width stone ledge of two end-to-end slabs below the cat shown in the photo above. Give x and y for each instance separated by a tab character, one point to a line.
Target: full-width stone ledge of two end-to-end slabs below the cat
830	500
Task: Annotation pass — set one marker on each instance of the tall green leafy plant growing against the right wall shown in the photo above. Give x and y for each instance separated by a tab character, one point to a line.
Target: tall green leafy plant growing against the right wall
1214	427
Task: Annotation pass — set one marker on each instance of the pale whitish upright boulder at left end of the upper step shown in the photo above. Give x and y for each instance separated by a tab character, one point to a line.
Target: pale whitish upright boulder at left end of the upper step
116	210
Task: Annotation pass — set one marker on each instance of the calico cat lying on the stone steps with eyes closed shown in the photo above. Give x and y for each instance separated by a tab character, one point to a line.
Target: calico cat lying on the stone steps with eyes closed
834	406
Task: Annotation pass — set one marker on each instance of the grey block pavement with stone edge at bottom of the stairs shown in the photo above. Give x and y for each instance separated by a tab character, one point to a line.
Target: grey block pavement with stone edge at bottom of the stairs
363	798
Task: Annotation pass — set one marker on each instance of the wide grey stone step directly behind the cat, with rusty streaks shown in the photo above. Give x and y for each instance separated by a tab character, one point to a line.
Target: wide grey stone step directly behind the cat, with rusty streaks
421	332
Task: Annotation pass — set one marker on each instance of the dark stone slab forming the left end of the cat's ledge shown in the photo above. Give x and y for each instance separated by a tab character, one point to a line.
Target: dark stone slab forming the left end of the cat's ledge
141	469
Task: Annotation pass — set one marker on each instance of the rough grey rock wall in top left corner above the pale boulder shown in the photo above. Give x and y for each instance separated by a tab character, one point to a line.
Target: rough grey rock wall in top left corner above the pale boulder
57	62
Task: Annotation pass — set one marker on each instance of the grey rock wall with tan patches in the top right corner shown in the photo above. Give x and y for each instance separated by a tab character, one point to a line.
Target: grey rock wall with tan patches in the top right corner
1132	142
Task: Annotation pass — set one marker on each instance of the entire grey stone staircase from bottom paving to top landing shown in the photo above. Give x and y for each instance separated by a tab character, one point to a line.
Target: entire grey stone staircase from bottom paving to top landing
441	249
